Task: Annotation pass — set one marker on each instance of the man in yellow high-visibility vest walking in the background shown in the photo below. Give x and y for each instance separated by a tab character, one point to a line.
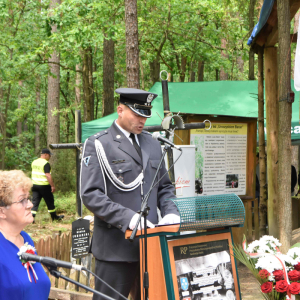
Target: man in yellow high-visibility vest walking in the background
43	185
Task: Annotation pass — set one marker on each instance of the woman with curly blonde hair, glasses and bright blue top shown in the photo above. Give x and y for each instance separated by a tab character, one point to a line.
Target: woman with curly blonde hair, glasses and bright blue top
18	280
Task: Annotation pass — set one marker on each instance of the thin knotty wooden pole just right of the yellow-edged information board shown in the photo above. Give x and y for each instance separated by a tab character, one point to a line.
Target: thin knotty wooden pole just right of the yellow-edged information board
262	152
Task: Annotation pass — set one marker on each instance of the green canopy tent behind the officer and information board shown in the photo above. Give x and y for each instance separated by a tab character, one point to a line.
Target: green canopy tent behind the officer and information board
220	98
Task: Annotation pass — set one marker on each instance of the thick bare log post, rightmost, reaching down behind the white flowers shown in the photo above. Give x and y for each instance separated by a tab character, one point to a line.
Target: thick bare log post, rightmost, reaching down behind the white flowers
284	128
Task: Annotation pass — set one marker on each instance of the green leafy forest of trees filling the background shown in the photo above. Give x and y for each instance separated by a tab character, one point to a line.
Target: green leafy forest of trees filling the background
58	57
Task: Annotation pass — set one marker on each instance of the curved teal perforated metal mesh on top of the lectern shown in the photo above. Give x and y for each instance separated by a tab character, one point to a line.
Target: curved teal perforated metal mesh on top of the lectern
205	212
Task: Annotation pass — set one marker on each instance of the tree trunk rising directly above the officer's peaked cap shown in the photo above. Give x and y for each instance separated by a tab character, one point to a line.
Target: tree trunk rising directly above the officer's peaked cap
132	44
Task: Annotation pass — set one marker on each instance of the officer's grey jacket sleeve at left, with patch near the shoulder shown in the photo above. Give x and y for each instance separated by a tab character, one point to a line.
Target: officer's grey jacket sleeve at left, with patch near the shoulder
92	191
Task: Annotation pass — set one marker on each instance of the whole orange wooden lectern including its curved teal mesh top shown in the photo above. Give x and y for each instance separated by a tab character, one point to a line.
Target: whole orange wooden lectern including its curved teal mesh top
193	260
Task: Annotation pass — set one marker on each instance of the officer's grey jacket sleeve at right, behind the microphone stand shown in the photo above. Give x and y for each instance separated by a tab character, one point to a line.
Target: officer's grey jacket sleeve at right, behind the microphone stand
166	191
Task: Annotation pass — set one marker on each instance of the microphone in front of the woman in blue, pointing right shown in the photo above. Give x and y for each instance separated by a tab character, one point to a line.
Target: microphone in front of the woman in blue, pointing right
50	262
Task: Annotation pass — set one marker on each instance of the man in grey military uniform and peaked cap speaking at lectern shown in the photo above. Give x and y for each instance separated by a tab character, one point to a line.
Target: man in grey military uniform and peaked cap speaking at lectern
118	166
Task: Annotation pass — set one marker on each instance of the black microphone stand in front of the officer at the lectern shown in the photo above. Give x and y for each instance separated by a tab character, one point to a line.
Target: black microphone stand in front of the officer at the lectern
144	212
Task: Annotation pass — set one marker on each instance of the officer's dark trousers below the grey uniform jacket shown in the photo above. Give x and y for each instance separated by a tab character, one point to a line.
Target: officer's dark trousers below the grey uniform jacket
122	276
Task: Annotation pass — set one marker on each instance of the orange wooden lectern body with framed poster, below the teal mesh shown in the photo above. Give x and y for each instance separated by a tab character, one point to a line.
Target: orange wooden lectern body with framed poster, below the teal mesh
190	266
